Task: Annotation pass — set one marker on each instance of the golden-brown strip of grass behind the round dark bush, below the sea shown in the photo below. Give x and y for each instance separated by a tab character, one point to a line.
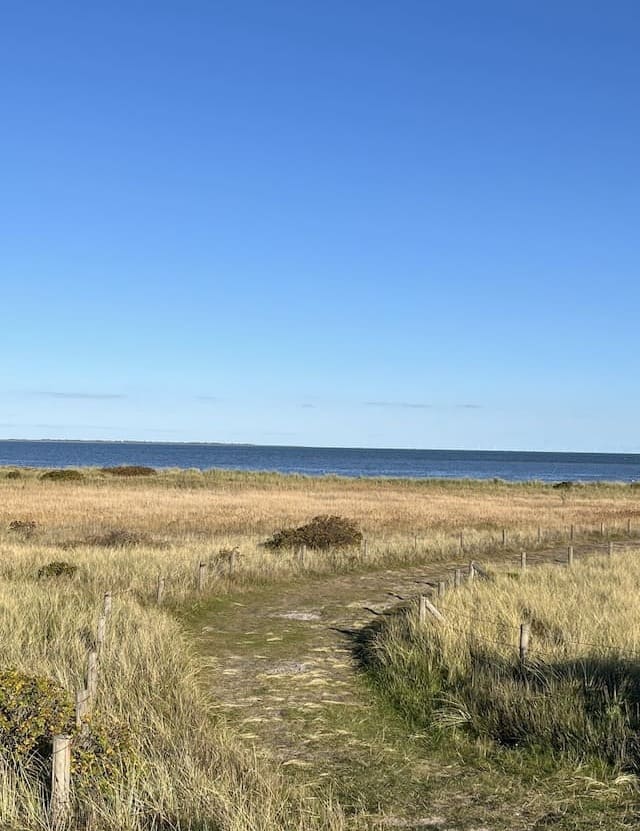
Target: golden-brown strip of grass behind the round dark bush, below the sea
178	503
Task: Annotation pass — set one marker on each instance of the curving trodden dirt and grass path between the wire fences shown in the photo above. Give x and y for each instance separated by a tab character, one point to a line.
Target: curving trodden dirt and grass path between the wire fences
283	671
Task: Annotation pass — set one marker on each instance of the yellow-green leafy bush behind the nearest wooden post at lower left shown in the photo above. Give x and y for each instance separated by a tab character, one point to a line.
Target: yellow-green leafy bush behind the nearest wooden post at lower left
33	709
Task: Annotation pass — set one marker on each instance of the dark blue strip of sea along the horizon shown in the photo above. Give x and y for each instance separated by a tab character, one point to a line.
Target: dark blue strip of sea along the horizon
315	461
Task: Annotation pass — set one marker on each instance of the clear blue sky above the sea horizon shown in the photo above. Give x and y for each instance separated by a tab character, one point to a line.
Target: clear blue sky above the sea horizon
409	224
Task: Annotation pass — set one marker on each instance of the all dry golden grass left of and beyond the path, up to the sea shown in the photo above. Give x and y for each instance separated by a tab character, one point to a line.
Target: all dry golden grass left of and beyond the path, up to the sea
193	776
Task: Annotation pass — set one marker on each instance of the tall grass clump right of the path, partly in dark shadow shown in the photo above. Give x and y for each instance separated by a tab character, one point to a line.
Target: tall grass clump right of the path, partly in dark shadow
576	696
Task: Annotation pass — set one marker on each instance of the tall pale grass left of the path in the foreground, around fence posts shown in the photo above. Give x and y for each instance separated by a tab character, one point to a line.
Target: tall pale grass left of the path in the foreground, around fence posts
177	769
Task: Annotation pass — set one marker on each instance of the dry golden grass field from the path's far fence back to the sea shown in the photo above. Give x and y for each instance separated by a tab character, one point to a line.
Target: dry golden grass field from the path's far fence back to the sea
186	517
